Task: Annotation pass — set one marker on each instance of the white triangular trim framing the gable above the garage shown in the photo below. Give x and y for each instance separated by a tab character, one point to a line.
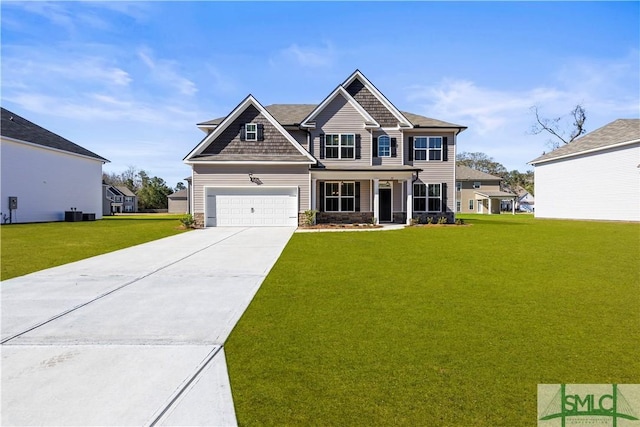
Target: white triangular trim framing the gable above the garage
197	153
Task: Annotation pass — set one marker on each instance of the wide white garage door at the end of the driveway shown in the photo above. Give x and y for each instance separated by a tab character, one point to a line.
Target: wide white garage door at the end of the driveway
253	206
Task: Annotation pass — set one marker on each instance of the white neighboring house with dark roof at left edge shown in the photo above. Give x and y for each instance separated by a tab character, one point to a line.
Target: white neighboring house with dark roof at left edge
44	174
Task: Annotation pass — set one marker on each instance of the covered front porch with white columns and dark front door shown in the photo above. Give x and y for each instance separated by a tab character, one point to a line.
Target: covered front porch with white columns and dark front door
363	195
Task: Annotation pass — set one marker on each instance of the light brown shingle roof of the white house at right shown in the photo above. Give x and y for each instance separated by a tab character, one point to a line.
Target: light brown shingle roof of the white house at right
619	132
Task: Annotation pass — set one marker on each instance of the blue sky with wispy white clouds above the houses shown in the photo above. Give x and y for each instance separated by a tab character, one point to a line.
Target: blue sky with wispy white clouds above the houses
129	80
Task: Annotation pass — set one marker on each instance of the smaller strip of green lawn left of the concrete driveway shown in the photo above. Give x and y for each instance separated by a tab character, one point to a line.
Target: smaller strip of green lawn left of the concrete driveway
32	247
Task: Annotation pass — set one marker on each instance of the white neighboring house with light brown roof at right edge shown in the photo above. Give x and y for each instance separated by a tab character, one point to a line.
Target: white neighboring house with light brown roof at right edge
594	177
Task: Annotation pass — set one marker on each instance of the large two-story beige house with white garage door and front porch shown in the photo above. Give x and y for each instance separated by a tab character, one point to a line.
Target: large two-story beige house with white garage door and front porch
353	158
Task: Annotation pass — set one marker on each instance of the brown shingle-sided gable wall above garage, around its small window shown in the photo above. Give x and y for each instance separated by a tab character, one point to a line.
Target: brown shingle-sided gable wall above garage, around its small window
228	142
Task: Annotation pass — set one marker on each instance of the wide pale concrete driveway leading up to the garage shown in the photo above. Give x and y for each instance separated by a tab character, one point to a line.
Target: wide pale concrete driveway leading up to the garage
134	337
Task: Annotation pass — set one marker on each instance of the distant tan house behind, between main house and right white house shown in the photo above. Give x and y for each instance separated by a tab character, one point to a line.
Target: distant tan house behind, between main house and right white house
480	192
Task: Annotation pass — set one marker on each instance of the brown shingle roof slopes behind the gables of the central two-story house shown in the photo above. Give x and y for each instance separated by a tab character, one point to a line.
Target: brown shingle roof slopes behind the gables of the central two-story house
294	114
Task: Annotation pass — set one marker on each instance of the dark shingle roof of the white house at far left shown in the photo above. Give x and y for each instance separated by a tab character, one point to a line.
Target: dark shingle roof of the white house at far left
16	127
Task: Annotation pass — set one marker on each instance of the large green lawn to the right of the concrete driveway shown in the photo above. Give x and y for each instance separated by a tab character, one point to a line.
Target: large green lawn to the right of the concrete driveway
441	326
